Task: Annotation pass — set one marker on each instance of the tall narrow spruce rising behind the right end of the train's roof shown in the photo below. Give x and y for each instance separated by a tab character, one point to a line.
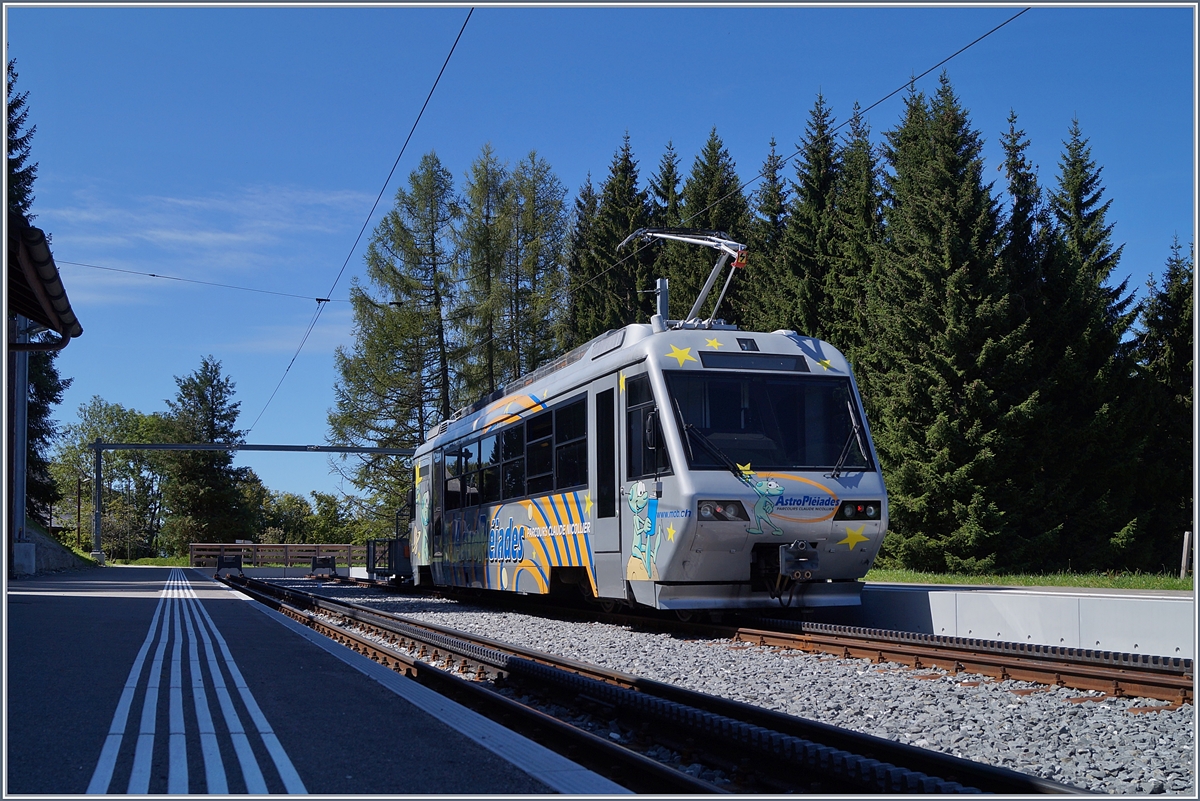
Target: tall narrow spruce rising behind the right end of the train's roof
809	240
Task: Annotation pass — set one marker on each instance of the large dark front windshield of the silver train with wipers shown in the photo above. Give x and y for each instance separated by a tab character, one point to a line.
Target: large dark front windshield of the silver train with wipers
769	421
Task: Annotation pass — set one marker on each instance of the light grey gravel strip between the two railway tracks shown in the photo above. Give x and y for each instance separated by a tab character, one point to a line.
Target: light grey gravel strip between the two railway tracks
1096	745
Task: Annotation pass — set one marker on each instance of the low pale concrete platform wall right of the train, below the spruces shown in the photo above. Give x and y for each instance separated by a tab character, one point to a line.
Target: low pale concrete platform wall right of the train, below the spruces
1133	622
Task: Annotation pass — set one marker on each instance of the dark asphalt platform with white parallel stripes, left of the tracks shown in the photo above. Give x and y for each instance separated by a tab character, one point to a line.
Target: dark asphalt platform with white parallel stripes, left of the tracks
136	680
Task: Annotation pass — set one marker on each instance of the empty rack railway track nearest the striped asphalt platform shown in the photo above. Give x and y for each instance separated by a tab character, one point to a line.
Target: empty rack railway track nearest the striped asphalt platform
759	750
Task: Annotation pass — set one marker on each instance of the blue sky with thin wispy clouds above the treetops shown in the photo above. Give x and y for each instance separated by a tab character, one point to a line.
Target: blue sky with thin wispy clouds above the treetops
245	146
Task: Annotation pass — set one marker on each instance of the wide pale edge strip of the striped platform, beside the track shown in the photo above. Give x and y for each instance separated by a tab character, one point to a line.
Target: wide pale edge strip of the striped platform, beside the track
543	764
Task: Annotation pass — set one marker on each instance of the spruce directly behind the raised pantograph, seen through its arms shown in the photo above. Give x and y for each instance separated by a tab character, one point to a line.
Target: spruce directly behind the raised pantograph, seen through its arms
712	201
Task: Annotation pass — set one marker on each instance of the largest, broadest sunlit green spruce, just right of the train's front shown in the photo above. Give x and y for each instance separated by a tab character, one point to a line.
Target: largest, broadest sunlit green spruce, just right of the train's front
944	342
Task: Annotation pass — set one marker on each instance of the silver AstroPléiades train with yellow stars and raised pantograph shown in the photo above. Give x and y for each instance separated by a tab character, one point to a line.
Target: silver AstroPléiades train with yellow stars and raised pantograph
683	466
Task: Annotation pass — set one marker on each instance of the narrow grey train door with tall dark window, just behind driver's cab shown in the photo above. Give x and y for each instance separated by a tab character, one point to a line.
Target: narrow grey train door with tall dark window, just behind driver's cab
607	529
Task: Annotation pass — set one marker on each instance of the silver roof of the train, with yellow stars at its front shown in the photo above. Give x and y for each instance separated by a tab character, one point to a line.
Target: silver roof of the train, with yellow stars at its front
719	347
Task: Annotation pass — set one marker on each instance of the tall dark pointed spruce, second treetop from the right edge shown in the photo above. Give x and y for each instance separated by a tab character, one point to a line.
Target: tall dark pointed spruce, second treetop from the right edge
1088	368
